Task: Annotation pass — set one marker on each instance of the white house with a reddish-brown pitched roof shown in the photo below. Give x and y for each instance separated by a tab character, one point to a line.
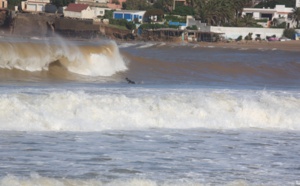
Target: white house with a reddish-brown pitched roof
82	11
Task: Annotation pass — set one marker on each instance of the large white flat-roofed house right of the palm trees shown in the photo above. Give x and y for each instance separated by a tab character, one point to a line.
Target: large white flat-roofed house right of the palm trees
280	12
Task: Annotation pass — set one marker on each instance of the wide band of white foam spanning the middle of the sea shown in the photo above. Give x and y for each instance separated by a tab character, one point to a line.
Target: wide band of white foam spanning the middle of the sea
82	111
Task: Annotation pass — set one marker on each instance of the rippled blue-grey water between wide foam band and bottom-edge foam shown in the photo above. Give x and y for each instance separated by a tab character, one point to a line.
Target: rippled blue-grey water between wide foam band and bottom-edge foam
161	156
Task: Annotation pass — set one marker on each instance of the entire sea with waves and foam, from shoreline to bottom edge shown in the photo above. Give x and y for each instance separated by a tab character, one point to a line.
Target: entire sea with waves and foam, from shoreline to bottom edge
195	115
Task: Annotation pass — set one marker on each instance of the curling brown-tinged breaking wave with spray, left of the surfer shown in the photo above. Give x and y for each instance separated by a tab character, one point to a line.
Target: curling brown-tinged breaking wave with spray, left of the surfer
91	59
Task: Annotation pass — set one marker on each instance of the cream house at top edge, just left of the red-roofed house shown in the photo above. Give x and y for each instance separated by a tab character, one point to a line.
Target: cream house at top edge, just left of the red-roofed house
34	5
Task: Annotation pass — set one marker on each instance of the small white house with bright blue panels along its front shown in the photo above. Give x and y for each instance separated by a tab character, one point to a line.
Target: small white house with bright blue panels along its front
129	15
